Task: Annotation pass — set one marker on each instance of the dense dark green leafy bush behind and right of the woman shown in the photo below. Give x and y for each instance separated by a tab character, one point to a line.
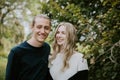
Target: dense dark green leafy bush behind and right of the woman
98	27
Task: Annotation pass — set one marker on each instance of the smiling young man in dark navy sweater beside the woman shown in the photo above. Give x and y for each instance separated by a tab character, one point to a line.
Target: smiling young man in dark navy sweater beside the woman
29	60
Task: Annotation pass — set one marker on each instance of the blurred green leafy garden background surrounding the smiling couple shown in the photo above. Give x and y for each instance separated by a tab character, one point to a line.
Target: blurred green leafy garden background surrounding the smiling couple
97	23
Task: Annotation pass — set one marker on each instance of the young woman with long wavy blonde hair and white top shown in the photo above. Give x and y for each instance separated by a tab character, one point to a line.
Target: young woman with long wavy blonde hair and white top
65	62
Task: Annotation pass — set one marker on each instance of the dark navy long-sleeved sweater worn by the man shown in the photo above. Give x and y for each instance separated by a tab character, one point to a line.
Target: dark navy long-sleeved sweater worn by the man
26	62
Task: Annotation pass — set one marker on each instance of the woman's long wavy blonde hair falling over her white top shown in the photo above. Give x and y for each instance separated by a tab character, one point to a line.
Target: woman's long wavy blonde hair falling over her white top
69	46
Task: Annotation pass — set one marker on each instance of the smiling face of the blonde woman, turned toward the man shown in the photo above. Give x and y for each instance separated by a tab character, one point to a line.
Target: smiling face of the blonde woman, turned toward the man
61	36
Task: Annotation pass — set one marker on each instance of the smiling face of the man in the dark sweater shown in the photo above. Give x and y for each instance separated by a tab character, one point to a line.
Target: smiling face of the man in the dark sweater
41	29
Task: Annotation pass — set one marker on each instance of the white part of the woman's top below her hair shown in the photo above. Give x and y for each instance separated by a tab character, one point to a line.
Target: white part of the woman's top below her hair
76	63
